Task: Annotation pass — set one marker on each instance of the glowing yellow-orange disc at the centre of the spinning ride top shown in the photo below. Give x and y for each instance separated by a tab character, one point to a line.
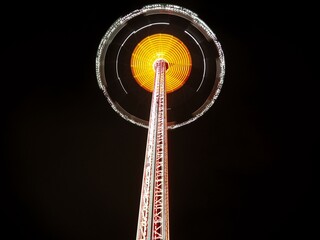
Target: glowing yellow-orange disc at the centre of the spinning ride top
161	46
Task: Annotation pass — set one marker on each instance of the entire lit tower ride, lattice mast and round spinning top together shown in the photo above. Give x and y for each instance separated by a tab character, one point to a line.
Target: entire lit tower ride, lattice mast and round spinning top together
166	55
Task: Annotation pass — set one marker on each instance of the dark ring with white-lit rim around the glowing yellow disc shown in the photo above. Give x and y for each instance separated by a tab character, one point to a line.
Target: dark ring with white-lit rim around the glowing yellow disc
115	75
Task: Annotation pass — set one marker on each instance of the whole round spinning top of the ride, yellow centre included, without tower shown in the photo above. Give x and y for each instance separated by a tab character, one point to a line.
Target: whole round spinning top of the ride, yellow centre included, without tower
133	43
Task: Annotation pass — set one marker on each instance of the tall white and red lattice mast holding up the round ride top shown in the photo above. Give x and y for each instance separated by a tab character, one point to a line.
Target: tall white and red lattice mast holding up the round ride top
153	221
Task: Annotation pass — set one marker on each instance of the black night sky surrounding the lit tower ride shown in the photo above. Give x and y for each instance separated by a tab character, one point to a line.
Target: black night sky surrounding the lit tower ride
72	167
